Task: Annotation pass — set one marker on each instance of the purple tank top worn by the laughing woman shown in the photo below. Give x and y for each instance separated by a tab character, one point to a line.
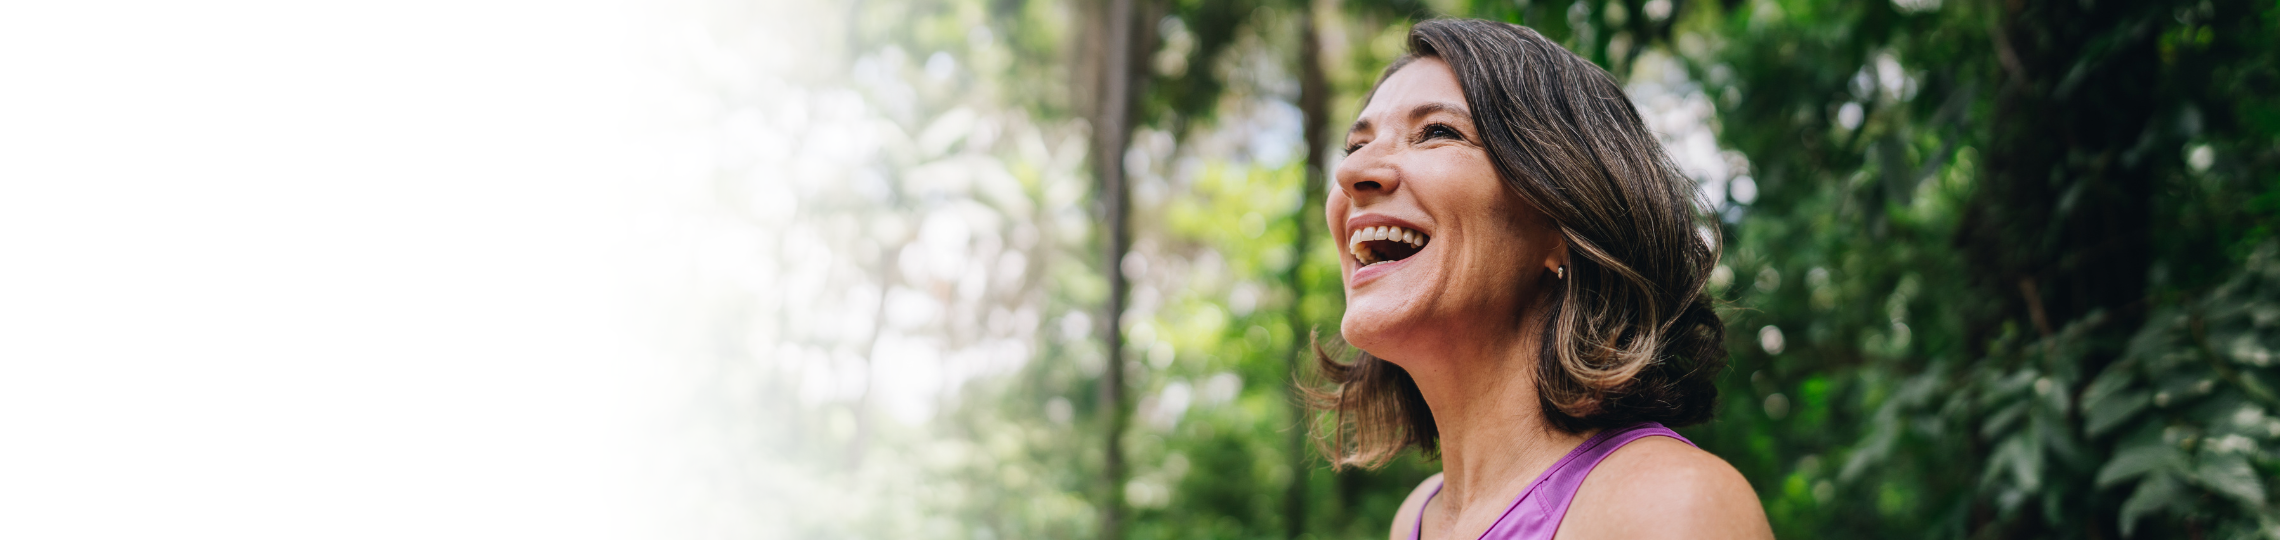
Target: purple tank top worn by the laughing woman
1538	514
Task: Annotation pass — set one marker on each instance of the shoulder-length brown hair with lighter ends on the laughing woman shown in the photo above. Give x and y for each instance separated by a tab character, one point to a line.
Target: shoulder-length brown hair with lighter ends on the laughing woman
1629	334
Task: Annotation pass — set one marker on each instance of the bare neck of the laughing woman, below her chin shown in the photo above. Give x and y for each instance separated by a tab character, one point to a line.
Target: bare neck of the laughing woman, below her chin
1495	436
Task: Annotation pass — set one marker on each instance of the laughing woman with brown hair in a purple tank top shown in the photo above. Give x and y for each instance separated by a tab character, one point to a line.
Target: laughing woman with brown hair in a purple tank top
1524	277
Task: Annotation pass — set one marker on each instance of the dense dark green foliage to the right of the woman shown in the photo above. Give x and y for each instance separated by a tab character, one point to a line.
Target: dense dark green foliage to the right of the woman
1989	277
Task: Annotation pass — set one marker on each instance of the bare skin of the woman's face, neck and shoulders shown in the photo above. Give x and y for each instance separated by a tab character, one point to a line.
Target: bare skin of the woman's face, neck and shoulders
1453	313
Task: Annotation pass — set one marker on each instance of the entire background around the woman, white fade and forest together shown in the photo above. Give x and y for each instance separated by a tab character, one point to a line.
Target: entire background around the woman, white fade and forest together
1048	268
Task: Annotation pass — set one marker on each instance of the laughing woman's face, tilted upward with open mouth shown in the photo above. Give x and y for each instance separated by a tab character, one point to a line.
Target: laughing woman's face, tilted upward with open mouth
1438	252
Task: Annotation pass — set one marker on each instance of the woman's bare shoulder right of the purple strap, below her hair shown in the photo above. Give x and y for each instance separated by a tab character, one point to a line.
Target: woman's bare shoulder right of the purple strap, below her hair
1666	489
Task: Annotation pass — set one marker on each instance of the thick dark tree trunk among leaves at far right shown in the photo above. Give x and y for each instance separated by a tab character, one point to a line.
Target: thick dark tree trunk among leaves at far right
2062	222
